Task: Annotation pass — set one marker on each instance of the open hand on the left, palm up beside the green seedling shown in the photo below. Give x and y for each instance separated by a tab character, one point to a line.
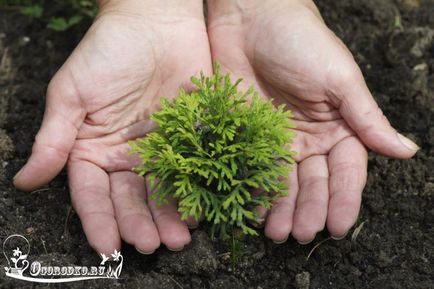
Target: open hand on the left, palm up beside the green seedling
135	52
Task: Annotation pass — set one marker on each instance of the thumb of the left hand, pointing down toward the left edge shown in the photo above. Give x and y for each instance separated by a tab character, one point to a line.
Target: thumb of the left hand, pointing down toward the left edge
55	139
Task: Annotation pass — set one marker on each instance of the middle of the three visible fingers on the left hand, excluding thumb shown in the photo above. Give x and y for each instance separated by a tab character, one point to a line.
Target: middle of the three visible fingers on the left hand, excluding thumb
134	219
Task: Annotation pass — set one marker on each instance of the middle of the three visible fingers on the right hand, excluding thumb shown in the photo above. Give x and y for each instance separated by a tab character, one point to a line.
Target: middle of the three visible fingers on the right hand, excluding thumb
312	200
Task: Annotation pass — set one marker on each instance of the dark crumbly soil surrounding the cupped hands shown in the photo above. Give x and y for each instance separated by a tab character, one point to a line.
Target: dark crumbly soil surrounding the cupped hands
393	43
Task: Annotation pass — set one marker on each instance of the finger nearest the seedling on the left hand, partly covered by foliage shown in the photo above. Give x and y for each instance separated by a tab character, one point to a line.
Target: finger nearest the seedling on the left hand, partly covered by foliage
173	232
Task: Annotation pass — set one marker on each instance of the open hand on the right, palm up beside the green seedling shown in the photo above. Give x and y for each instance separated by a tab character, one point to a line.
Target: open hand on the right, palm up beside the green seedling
286	51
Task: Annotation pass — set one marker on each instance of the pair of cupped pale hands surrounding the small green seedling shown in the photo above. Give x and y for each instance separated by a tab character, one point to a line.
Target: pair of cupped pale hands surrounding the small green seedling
137	51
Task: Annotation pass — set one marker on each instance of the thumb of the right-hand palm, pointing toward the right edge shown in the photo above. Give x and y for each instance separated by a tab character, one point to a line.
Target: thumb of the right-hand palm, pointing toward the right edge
359	109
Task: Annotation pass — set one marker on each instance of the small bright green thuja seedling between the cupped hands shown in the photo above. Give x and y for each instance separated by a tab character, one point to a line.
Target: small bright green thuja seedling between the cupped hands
218	154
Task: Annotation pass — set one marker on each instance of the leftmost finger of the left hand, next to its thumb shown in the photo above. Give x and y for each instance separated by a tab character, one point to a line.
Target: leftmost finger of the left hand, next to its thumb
90	196
